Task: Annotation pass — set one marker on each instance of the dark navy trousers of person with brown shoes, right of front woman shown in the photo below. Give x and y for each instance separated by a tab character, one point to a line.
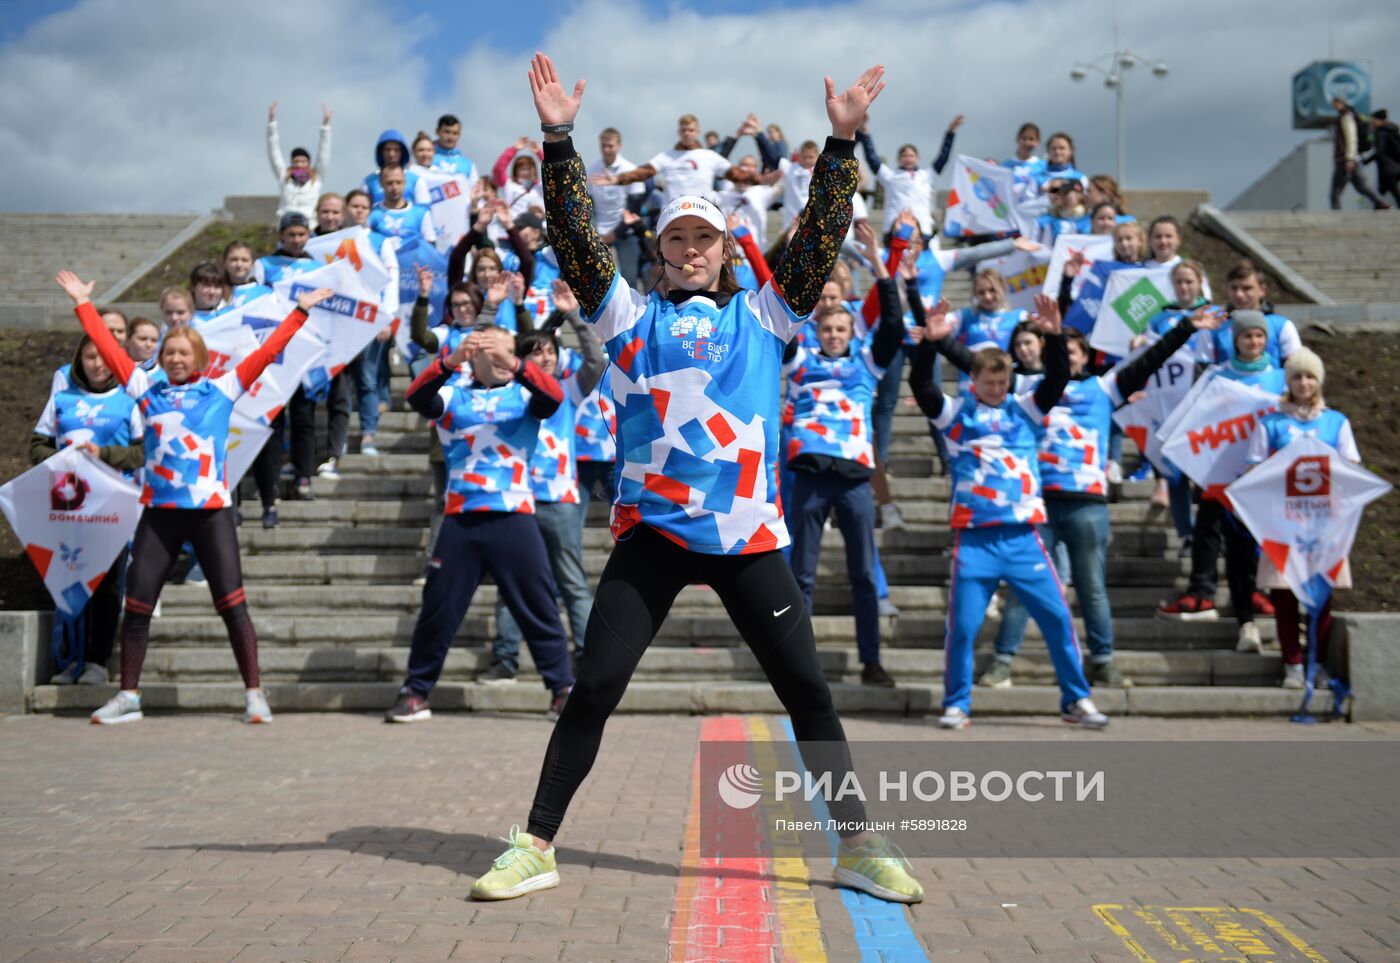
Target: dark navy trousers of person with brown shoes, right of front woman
813	499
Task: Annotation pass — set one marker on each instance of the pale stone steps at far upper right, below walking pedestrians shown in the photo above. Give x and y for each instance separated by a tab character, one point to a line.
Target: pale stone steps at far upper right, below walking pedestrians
1350	257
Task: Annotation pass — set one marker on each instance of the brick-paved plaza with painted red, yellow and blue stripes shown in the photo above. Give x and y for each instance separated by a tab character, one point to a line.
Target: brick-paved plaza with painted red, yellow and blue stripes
337	838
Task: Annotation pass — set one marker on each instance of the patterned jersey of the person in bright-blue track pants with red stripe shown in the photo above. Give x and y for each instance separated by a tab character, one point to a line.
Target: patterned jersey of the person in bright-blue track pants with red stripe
995	453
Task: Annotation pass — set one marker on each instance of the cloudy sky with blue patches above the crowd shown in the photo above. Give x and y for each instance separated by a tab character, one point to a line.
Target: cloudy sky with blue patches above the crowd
160	106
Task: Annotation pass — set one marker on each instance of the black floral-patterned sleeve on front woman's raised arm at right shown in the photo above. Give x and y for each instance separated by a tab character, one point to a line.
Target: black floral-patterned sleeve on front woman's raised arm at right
821	227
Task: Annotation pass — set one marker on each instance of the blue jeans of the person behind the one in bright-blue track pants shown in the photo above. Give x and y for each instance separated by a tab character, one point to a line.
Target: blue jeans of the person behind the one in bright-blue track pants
1083	528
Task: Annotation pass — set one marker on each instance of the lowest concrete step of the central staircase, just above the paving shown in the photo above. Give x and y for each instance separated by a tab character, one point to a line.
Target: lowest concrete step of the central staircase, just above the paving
691	698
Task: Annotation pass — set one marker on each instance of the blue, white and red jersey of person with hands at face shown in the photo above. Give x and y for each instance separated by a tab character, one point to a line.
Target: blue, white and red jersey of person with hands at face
488	440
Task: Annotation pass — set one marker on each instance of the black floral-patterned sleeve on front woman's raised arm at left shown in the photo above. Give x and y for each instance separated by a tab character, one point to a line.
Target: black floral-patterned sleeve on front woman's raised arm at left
584	261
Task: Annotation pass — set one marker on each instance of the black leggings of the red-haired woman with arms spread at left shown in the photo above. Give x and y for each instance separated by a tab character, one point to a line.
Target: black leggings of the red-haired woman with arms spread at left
155	551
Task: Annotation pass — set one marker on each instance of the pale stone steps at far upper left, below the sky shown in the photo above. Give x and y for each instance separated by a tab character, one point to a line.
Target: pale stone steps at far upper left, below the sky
101	247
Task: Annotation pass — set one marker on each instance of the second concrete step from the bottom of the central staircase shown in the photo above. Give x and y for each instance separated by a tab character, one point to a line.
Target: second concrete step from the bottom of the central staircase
670	664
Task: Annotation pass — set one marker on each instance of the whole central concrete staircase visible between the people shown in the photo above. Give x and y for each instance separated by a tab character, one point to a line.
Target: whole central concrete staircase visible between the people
332	596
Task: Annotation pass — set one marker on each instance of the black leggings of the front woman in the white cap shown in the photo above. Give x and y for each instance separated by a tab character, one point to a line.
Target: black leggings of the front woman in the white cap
638	590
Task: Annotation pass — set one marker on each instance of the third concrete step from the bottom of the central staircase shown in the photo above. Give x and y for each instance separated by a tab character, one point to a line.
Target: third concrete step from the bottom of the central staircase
713	631
